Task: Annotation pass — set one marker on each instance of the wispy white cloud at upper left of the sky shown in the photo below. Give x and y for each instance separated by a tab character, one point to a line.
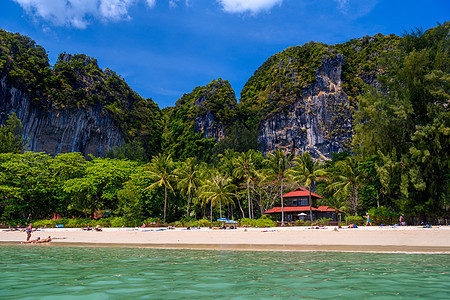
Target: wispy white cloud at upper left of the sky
78	13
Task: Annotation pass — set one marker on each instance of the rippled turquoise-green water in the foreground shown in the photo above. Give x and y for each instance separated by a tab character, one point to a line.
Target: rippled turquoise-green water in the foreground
49	272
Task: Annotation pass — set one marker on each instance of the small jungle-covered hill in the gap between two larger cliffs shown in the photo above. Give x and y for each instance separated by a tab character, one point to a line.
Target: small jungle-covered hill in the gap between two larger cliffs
184	134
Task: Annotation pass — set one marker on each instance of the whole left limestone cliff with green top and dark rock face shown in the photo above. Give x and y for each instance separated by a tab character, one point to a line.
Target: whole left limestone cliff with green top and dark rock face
73	105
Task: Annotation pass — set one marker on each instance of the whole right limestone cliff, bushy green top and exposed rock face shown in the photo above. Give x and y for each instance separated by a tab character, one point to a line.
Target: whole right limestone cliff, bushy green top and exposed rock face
301	99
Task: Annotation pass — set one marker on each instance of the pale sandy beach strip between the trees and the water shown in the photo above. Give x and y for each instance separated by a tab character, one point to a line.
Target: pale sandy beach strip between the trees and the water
362	239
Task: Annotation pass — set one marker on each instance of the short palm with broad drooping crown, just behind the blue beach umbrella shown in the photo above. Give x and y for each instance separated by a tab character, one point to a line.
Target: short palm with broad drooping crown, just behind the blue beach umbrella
218	189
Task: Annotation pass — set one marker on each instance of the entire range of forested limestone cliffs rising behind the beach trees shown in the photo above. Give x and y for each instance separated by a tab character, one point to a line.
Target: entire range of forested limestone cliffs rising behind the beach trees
300	99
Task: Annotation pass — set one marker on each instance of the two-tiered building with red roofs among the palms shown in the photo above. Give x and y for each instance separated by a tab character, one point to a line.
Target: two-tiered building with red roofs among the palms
297	207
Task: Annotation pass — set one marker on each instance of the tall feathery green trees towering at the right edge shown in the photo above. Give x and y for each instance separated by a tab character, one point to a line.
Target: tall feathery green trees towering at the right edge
406	123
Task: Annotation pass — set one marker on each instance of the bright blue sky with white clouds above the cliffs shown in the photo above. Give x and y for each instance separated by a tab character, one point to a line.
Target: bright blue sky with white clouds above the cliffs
165	48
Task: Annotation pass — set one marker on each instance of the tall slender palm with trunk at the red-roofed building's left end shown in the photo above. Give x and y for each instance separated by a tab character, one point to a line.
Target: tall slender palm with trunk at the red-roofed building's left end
278	163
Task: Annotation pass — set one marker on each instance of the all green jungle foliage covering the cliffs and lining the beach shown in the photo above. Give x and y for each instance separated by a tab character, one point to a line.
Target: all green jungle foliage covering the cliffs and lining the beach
398	163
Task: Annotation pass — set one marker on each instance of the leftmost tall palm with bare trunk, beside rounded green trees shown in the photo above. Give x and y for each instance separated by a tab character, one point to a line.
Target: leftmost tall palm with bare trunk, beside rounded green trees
161	170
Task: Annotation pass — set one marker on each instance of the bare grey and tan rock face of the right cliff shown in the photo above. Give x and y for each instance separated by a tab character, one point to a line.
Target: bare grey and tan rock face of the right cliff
318	122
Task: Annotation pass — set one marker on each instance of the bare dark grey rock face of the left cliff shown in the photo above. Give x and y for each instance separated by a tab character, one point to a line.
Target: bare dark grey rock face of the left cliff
88	130
